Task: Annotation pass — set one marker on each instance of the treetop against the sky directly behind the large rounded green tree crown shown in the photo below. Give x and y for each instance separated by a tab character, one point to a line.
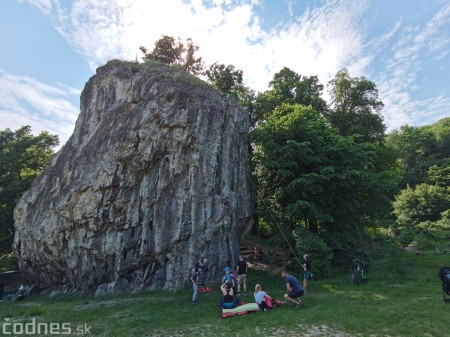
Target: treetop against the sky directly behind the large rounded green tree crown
288	87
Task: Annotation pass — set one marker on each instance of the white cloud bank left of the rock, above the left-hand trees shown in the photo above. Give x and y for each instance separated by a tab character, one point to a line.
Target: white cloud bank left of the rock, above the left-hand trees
26	101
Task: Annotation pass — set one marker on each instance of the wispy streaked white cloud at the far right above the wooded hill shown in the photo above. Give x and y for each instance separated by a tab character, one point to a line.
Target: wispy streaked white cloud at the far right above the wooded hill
400	80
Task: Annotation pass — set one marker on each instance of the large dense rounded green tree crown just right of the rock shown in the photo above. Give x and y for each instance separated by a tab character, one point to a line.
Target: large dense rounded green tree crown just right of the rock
307	174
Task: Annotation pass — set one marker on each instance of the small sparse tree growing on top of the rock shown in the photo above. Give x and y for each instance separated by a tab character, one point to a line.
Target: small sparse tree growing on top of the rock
173	51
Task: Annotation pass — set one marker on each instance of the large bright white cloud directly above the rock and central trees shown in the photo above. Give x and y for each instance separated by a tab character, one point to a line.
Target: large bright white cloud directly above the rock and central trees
320	41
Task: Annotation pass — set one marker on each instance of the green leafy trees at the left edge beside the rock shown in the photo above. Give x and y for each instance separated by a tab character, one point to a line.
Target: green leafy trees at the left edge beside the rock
22	158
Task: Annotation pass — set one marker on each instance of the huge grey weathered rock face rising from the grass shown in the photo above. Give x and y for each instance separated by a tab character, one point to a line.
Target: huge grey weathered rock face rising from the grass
155	176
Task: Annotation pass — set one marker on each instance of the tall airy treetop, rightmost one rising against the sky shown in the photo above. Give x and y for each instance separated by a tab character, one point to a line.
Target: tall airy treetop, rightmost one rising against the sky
356	108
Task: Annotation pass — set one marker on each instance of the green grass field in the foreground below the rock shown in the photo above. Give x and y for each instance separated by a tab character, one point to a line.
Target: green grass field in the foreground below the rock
403	297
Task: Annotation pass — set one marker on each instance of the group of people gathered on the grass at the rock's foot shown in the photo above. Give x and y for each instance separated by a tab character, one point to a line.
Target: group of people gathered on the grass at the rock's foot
235	281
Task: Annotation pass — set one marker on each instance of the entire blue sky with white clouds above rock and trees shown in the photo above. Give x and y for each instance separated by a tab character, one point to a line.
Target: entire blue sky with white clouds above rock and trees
50	49
